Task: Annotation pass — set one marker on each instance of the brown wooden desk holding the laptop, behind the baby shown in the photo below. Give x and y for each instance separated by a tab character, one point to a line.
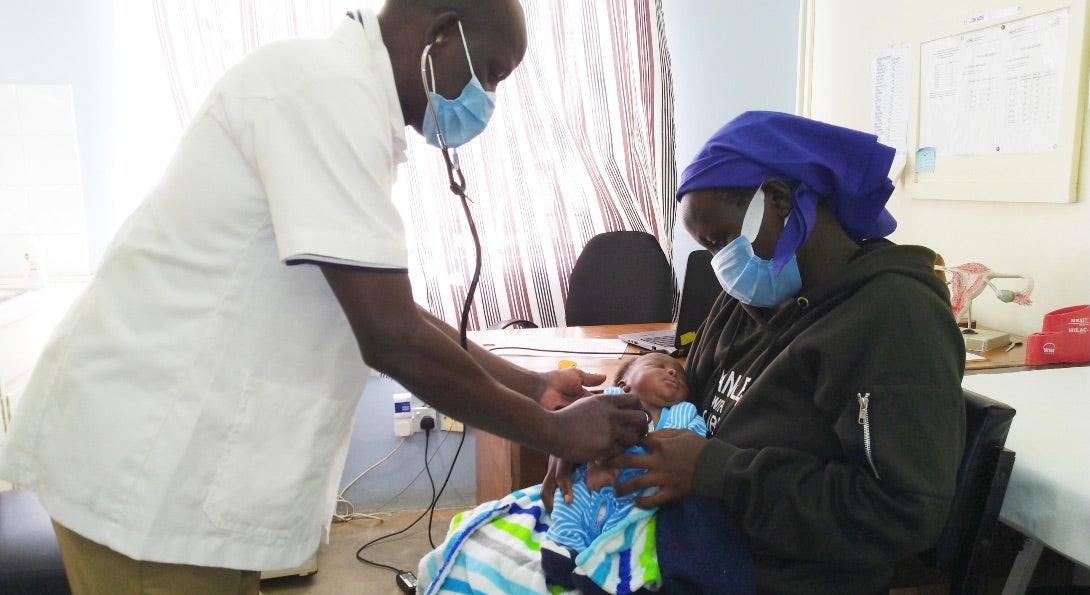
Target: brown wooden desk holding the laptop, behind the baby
503	467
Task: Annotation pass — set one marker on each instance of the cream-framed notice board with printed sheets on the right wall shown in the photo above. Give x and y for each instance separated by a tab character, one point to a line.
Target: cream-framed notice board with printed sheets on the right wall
997	93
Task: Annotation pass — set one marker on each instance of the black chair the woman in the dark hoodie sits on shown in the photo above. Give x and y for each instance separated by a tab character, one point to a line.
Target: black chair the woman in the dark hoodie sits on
960	557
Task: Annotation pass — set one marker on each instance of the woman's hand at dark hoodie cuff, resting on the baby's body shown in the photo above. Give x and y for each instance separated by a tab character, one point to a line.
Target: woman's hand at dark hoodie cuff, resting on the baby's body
671	464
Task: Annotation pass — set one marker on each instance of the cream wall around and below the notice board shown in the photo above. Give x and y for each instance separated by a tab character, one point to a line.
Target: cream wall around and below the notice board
1051	242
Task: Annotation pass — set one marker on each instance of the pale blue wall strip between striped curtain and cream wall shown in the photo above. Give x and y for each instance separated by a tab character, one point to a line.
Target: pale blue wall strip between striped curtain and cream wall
728	57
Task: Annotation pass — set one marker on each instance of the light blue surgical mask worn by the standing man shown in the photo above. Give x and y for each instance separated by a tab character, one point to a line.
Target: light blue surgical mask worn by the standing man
454	123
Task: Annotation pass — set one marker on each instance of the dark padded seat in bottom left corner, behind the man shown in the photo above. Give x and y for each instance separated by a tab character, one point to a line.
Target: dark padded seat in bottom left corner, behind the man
30	558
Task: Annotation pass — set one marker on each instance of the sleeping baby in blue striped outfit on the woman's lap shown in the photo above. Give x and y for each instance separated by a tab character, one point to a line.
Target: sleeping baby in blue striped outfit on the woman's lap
594	524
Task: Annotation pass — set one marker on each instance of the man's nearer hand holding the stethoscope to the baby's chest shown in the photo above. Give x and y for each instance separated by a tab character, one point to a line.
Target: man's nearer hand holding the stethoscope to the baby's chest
595	429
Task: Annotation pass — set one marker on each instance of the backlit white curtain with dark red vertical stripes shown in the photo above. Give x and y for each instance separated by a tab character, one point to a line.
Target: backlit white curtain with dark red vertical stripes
582	143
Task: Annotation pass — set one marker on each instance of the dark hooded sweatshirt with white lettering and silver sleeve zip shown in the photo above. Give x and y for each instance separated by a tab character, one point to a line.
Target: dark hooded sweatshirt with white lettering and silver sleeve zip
838	422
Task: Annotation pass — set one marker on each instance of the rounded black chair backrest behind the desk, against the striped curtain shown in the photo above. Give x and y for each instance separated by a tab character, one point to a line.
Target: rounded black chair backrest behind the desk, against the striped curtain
621	278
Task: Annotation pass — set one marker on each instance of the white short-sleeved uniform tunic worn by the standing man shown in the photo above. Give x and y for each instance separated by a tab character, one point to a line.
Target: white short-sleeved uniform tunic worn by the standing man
195	407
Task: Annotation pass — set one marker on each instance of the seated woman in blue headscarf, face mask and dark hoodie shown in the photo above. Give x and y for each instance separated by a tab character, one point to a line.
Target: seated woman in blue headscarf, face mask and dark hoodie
829	372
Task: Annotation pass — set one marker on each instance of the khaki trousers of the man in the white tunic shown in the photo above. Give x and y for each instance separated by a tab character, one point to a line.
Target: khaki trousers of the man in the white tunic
94	569
